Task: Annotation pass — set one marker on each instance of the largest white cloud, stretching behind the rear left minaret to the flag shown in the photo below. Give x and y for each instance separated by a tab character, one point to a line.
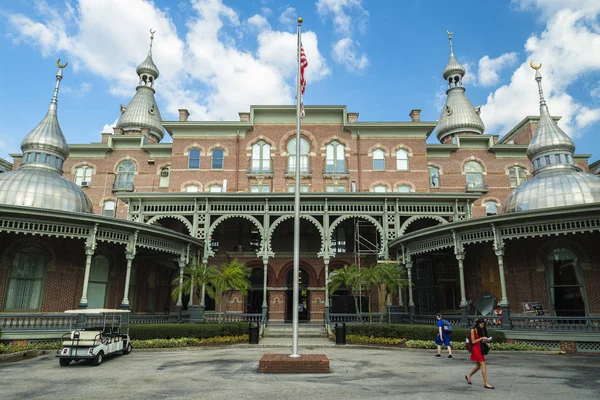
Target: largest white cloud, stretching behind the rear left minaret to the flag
204	71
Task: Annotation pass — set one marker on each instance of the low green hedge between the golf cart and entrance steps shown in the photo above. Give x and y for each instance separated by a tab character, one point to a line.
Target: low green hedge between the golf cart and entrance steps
176	331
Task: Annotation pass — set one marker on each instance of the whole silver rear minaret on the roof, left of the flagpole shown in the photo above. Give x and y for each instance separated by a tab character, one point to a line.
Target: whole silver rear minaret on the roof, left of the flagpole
142	116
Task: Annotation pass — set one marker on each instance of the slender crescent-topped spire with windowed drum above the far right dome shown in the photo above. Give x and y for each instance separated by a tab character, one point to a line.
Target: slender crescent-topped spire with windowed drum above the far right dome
550	146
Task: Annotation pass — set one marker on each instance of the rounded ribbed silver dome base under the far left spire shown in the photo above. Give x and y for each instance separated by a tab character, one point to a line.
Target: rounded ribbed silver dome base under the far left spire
42	188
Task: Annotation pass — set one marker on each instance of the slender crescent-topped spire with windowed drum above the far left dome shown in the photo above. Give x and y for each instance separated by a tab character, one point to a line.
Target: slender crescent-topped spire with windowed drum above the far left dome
46	145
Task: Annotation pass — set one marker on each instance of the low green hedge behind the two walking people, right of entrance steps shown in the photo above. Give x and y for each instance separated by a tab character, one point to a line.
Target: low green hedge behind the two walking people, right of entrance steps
414	332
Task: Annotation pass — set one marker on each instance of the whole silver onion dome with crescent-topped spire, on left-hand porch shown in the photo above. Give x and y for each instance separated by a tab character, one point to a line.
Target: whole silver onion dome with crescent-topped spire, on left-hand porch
39	182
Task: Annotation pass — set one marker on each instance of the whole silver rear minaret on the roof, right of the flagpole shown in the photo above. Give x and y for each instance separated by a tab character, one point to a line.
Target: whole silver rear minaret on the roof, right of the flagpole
458	114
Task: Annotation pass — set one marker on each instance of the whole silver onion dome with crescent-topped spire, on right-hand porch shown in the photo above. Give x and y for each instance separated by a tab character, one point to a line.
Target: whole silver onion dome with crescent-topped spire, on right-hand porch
556	180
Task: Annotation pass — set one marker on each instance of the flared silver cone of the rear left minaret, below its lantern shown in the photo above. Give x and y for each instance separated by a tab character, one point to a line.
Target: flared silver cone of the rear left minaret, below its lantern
142	112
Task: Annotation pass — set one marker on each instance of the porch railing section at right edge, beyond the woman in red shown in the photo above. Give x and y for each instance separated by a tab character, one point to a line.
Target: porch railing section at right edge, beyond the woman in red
558	324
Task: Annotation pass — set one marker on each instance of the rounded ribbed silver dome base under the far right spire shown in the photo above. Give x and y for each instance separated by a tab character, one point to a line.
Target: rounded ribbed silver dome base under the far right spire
554	188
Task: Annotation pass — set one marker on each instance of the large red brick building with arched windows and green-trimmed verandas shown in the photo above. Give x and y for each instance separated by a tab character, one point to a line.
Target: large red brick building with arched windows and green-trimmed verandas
371	191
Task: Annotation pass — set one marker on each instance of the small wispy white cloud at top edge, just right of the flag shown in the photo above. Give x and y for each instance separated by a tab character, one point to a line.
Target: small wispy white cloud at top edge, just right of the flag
346	15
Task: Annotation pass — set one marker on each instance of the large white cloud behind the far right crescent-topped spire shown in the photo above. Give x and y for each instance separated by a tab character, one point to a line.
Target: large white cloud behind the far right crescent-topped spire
568	48
